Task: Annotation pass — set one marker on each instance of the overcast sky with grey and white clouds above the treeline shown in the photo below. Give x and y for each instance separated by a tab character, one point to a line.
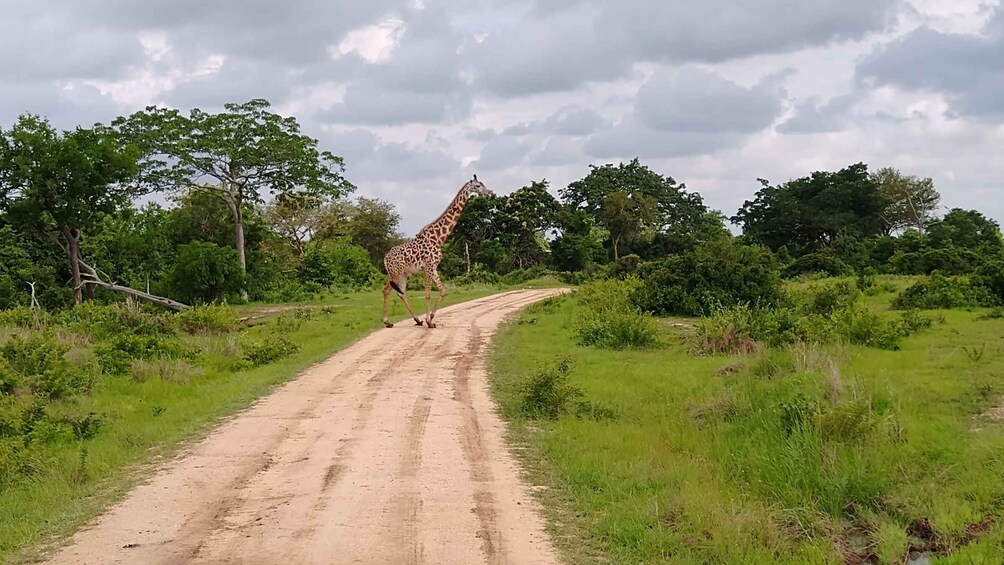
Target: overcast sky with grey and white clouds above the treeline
418	95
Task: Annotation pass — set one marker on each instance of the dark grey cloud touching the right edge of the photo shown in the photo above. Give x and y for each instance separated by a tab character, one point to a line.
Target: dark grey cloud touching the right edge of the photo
968	70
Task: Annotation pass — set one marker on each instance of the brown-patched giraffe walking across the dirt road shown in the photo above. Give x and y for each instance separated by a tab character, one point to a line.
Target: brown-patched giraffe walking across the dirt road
424	253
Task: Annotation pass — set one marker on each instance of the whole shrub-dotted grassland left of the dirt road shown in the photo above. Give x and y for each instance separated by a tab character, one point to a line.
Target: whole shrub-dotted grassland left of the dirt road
92	395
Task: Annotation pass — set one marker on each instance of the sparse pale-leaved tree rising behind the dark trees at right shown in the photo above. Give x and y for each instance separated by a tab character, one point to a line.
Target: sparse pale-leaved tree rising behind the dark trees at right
912	201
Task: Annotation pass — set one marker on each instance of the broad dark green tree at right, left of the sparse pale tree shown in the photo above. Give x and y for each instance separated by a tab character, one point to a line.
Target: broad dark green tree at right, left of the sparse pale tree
810	213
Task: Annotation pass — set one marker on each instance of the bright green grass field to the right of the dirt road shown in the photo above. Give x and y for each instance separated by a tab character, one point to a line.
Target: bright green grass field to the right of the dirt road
787	457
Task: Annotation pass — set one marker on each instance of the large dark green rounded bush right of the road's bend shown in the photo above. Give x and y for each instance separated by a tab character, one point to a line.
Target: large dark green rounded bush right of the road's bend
720	273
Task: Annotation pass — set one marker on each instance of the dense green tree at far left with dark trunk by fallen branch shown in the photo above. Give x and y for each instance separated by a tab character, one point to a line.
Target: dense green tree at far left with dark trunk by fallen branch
60	184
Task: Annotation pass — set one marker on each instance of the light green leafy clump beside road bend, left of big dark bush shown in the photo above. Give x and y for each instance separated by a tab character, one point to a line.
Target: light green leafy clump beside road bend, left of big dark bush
610	321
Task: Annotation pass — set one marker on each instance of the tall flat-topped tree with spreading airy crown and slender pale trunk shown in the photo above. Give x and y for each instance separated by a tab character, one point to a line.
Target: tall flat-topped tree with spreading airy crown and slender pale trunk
244	152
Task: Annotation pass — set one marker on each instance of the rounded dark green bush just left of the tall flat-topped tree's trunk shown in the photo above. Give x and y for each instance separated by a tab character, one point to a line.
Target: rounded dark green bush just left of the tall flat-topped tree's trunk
206	272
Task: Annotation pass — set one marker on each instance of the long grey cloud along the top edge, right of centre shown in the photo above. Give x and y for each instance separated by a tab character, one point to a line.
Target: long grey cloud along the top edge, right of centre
570	45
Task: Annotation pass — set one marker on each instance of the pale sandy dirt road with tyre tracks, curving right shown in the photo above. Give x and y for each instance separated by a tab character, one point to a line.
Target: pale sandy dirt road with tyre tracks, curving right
389	453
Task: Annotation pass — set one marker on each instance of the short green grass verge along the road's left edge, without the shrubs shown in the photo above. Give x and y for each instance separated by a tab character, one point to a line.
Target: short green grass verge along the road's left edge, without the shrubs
144	420
